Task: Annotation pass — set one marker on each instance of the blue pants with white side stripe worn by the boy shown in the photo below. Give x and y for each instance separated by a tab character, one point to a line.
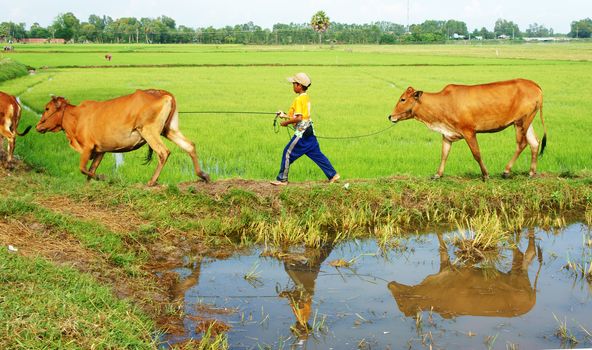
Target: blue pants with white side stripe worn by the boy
296	148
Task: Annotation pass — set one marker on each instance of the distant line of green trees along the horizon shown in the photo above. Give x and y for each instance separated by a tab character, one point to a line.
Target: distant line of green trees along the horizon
163	30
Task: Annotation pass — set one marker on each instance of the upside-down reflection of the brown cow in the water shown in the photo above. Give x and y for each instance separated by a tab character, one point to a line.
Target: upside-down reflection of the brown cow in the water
469	290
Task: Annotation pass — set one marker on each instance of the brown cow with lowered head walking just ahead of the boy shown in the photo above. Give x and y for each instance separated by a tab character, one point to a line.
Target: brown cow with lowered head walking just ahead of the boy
122	124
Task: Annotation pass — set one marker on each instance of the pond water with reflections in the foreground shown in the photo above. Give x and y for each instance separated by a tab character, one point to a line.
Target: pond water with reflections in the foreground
413	296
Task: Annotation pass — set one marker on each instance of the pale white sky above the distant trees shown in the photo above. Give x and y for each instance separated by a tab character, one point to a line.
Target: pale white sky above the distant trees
476	14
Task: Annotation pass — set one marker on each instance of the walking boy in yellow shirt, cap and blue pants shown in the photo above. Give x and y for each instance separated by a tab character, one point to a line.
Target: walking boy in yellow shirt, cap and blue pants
304	140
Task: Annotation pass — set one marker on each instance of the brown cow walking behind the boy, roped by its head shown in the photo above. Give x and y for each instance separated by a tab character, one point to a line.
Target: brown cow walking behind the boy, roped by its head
462	111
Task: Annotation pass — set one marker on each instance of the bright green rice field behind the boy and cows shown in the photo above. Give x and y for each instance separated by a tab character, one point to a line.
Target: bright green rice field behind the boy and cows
354	89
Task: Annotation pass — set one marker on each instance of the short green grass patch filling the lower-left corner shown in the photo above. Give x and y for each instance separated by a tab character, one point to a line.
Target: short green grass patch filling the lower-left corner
44	306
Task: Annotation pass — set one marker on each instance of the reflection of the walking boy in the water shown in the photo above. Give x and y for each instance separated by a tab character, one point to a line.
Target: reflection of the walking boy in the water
304	275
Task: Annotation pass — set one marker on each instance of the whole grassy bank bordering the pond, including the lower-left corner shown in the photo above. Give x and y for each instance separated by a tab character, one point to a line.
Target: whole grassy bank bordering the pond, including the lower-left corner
124	234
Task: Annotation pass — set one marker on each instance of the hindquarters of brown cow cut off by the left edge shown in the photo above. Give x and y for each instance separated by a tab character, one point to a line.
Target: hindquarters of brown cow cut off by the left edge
10	115
